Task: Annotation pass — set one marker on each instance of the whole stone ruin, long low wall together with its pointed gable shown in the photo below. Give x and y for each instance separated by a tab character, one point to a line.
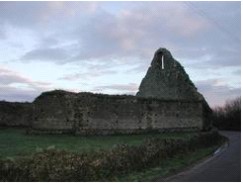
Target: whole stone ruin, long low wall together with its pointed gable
167	100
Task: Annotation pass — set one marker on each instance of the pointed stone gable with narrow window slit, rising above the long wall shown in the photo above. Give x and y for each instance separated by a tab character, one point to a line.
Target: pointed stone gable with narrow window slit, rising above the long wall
167	80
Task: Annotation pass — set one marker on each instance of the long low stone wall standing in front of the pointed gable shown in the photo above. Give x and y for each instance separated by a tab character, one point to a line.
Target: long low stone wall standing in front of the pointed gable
86	113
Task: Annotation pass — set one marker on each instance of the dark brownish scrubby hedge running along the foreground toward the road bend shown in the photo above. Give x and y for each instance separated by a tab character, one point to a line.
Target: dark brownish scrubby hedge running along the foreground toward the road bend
56	165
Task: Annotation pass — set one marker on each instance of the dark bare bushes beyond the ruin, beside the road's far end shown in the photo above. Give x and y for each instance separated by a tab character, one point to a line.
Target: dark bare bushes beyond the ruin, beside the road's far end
228	117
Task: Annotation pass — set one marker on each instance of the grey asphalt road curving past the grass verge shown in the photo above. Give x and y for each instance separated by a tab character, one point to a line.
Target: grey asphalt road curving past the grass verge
224	166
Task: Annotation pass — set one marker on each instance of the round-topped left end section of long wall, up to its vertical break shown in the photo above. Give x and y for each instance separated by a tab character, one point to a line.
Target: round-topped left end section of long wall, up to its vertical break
54	111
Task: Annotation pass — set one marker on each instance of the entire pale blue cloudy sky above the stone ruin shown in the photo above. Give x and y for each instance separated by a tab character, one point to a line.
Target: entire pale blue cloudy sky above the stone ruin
107	47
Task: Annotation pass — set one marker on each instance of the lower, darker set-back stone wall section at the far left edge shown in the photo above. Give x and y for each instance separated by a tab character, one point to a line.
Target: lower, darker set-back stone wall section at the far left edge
13	114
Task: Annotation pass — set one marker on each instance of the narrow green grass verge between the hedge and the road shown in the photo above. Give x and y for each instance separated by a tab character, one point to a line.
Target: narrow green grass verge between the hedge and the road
169	167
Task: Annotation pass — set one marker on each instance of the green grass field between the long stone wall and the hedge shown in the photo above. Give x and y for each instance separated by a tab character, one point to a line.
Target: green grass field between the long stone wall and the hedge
14	142
